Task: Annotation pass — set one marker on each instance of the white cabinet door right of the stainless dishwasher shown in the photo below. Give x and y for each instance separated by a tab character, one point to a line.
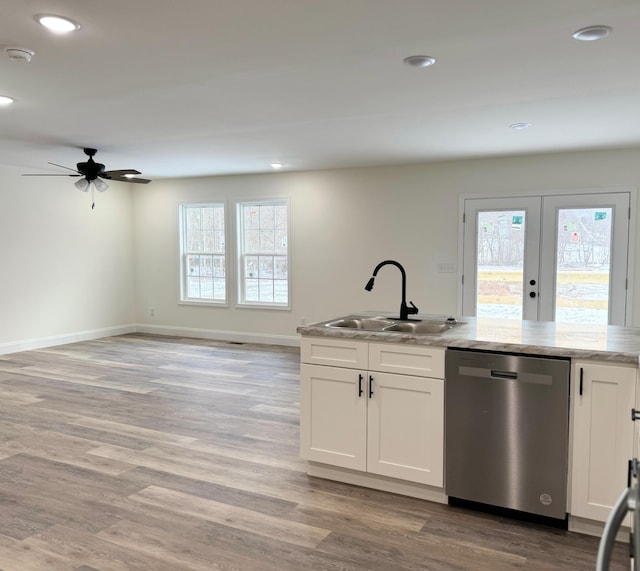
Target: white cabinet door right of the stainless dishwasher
602	437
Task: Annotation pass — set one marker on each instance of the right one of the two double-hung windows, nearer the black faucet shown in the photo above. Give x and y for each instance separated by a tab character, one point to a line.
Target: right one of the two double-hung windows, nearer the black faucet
263	253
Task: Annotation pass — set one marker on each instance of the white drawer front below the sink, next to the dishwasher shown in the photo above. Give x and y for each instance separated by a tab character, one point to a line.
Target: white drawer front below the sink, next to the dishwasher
407	359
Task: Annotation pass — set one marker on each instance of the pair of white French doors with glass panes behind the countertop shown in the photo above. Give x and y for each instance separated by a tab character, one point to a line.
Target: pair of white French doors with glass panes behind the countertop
549	258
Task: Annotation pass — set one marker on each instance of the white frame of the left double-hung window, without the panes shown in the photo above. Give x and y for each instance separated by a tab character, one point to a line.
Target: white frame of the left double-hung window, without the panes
184	298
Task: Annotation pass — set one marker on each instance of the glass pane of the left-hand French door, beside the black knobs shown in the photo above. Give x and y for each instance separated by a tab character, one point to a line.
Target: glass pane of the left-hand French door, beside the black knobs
500	263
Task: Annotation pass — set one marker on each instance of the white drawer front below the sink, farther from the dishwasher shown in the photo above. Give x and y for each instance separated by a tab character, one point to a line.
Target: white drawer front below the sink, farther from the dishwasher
334	352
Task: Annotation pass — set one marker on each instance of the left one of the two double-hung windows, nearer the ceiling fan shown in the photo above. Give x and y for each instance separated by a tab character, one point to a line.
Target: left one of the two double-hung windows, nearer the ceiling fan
202	249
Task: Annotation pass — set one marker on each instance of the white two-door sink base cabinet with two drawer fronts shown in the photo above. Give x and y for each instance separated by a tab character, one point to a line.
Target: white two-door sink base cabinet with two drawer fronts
380	411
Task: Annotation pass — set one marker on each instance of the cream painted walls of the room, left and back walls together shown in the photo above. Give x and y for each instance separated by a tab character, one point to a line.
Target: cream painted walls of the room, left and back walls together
70	272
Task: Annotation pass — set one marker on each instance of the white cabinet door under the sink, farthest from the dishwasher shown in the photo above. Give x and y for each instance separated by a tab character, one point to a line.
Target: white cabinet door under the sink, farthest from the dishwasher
333	419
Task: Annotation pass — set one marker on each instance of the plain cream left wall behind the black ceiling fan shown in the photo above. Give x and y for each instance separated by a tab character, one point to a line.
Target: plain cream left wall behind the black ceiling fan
67	271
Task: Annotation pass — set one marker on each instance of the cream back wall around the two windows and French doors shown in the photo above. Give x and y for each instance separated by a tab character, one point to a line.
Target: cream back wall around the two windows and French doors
344	222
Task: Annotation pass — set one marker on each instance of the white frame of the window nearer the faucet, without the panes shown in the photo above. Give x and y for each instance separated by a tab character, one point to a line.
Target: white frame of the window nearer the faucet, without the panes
239	234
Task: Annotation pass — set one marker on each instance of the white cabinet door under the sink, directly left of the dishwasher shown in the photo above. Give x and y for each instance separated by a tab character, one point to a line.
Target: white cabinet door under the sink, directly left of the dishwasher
406	428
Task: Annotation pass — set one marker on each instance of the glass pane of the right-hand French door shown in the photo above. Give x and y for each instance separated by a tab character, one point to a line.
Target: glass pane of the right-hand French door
583	265
